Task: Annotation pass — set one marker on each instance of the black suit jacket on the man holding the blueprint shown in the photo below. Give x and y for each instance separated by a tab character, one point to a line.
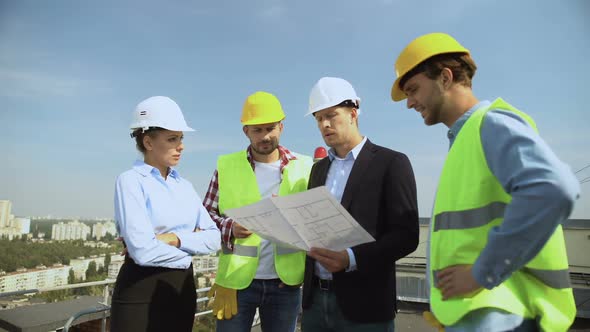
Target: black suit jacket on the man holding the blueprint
381	196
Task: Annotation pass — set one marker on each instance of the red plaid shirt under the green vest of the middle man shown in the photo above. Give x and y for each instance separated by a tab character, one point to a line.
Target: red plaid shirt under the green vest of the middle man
211	202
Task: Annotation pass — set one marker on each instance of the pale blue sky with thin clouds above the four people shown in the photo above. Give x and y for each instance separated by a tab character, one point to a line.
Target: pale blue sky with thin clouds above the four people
71	73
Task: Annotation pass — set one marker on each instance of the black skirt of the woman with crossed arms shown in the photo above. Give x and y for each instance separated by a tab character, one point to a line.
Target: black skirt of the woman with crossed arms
153	299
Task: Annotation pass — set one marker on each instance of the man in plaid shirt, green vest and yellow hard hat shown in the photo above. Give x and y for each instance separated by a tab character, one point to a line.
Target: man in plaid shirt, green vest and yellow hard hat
254	273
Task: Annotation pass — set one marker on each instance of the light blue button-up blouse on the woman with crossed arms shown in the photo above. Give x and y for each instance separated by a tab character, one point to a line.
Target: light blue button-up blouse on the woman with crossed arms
146	204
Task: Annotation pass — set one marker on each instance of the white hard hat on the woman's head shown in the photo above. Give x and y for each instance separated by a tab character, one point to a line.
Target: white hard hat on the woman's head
160	112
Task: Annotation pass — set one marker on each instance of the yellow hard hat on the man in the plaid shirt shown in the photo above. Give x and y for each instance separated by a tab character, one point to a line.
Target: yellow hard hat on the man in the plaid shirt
261	107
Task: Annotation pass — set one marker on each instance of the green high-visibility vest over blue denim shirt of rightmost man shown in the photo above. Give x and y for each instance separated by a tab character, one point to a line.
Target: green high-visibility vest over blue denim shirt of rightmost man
469	202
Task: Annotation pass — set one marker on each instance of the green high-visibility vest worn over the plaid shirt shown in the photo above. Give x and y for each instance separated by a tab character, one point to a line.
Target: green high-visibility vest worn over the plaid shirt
237	188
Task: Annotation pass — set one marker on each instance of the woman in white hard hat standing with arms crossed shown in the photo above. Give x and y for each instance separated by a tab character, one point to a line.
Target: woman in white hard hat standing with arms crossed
163	223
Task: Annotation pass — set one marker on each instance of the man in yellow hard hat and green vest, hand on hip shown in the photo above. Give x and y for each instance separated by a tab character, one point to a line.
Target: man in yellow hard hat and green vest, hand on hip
497	258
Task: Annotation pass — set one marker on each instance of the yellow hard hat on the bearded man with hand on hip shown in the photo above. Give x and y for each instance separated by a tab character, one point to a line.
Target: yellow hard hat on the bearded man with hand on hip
420	49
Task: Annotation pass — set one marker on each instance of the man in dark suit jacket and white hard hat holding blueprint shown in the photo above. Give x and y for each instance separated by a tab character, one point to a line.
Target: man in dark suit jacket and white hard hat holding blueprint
354	289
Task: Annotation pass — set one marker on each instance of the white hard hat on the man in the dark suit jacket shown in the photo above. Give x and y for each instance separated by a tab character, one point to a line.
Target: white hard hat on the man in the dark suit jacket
330	91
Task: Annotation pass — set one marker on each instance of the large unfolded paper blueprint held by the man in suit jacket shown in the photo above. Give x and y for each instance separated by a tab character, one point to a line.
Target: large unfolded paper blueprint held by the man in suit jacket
313	218
